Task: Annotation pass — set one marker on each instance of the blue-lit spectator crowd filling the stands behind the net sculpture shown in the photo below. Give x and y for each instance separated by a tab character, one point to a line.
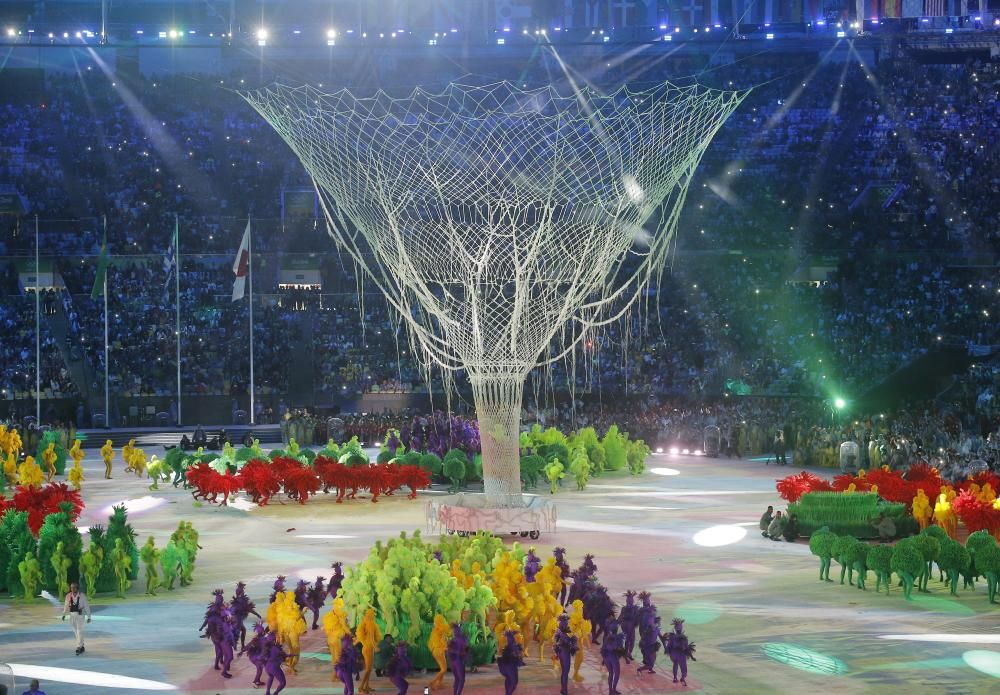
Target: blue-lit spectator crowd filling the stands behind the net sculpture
798	266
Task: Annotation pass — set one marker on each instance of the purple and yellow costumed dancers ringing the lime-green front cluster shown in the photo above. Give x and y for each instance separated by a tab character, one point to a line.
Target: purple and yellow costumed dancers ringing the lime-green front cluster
588	617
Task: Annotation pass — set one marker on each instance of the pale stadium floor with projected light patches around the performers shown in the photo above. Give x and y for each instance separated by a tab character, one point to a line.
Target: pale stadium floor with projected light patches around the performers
686	530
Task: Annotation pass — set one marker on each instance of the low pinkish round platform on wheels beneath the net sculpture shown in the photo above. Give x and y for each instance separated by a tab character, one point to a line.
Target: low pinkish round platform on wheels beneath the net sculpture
468	512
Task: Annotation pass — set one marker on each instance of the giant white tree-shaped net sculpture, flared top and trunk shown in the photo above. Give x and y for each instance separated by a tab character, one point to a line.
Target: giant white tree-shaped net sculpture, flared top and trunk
496	220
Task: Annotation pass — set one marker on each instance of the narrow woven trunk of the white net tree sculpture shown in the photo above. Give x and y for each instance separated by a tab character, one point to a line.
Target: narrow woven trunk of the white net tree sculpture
498	407
